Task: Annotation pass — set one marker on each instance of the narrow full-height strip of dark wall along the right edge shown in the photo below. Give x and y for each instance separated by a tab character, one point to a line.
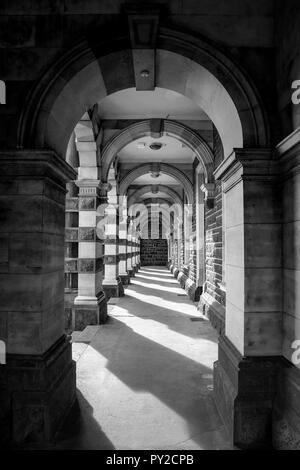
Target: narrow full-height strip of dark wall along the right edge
286	413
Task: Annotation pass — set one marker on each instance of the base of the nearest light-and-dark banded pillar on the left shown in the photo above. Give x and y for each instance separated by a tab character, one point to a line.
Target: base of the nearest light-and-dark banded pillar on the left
89	311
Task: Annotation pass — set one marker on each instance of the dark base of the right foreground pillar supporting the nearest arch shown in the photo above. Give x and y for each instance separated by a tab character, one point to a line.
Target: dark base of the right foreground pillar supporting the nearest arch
244	390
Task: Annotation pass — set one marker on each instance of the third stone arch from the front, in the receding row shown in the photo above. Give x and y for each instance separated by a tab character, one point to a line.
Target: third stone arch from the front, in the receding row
164	168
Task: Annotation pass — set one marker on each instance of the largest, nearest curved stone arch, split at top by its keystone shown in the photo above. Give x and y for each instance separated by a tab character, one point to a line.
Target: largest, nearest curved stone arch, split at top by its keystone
85	75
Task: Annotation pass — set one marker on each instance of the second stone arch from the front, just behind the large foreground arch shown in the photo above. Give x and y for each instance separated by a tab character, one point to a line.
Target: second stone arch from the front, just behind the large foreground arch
171	128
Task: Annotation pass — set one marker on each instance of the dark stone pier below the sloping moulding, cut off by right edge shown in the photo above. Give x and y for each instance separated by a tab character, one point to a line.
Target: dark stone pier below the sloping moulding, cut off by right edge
286	415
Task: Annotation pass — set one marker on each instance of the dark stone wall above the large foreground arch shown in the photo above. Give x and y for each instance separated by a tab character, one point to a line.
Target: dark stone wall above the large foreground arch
46	29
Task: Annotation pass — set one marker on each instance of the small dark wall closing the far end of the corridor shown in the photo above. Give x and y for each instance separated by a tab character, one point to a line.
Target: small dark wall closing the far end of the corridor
154	252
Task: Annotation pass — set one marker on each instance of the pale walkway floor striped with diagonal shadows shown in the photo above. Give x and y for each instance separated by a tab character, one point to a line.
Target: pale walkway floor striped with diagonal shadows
145	378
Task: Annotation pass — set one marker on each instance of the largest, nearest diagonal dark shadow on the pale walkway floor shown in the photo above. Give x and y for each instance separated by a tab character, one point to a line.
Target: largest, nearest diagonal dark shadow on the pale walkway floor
181	383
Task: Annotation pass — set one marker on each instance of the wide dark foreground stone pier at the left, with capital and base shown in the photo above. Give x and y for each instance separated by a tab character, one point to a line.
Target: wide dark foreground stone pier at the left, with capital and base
37	383
